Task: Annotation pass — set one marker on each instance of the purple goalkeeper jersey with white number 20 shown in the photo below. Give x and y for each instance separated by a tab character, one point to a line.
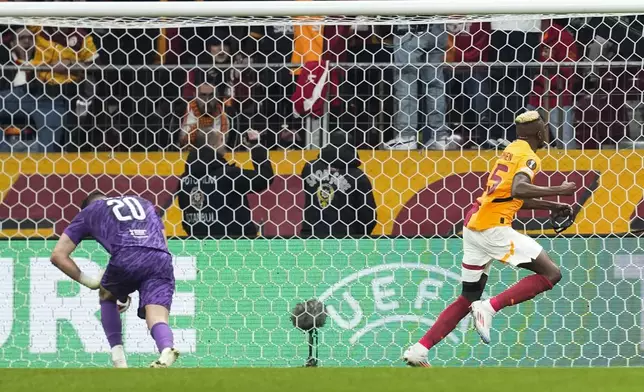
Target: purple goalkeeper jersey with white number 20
119	222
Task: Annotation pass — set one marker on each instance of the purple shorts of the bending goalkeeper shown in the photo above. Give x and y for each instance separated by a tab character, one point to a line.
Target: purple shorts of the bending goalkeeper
147	271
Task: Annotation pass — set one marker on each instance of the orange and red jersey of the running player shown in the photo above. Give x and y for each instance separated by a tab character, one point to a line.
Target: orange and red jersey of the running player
496	207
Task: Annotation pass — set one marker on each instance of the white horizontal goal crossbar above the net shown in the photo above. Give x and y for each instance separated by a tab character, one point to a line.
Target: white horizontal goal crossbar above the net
315	8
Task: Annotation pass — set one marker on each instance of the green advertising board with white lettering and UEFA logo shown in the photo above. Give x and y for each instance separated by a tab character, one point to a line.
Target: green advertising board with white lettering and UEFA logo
234	298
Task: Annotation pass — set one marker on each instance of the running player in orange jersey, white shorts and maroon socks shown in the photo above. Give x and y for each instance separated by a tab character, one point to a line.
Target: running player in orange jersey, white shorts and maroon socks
488	235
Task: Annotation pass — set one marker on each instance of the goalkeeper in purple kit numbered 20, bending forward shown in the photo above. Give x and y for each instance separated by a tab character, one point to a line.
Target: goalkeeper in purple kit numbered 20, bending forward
131	232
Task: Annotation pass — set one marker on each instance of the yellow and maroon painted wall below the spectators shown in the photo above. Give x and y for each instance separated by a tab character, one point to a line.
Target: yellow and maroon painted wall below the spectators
416	193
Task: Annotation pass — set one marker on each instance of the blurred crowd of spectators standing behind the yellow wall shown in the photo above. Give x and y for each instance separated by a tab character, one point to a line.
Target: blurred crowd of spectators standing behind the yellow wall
438	86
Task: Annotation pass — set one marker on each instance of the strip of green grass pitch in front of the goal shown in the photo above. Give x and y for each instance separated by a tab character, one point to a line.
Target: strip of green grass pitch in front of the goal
323	379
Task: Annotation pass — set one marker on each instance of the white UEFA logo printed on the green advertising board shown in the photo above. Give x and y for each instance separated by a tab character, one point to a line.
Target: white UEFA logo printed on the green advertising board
388	297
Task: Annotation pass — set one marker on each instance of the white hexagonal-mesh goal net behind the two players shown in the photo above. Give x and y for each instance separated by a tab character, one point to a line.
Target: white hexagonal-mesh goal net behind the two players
381	121
